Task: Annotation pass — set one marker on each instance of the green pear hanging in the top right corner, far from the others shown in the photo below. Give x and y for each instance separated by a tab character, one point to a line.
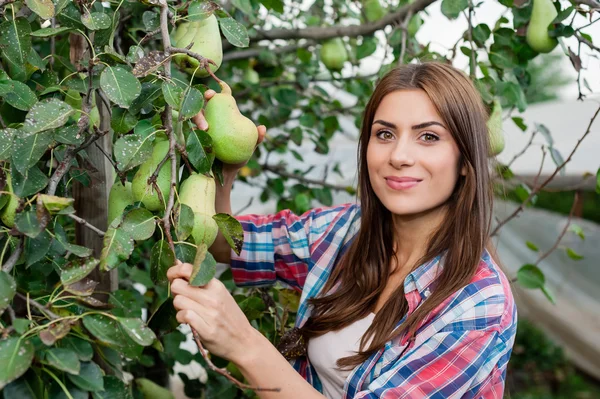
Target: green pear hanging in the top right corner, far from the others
542	14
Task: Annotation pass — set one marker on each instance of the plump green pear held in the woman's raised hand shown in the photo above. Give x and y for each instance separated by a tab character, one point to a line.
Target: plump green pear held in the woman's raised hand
233	135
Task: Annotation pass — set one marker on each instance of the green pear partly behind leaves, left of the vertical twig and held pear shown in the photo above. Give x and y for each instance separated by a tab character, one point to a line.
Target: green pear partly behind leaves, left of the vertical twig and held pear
150	197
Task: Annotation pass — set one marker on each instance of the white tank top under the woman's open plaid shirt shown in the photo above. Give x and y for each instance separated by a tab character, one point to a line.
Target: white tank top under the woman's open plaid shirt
325	350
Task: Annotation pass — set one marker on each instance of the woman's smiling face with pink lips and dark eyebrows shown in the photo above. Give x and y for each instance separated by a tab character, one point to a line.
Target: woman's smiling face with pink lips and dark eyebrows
412	157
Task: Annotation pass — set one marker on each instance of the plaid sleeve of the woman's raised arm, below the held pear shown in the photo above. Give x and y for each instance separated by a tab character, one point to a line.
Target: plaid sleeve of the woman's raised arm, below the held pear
284	246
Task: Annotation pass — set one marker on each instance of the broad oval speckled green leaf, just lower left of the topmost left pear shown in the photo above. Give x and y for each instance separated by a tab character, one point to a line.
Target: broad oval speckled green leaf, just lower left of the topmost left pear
120	86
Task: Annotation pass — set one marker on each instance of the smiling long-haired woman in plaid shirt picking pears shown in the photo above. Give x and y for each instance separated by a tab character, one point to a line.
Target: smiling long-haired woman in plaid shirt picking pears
400	297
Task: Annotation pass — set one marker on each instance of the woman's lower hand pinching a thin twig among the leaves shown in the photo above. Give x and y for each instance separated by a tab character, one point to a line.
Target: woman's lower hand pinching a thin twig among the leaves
213	313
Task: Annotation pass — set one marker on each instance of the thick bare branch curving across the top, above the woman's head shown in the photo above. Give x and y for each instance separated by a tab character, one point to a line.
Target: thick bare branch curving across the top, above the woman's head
322	33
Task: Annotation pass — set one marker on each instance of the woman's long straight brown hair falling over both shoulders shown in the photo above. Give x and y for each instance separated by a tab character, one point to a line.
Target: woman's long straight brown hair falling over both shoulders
364	268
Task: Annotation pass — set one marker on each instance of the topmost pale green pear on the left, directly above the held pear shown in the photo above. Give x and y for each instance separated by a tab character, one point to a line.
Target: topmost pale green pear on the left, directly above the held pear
207	42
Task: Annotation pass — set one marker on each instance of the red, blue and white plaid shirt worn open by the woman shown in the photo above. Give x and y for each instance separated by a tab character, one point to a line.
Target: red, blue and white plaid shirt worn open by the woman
460	351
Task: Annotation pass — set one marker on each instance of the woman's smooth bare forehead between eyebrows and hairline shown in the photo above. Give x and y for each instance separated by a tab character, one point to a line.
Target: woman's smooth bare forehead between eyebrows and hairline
407	107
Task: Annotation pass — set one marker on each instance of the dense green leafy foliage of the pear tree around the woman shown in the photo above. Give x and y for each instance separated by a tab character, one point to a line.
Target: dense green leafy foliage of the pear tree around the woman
76	73
